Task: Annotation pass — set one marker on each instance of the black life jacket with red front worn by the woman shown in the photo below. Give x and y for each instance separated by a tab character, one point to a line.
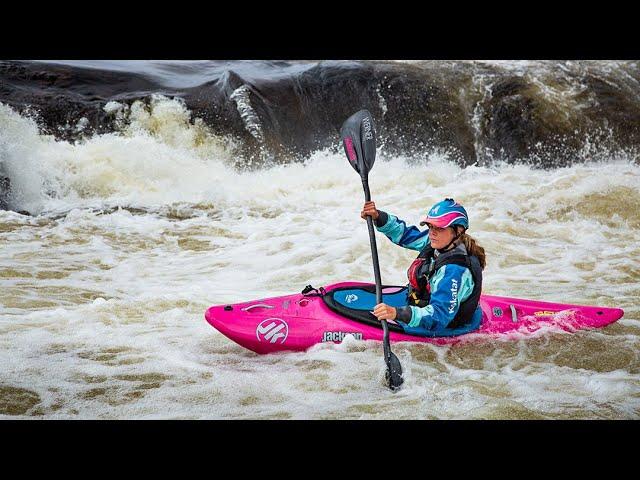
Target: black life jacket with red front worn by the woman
423	269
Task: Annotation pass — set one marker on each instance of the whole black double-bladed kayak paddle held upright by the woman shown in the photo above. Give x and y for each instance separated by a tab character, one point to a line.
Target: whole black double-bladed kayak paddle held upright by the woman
359	139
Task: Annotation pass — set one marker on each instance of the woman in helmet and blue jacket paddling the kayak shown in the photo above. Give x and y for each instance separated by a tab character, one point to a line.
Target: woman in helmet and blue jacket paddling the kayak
445	280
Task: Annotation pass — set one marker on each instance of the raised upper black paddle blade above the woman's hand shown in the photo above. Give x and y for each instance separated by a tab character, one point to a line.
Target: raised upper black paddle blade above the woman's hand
358	135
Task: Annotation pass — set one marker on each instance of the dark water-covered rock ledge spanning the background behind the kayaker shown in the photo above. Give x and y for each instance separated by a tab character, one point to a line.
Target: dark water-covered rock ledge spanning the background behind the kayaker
475	112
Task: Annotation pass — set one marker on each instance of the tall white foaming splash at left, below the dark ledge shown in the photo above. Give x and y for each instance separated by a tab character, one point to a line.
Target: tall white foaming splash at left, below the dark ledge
158	155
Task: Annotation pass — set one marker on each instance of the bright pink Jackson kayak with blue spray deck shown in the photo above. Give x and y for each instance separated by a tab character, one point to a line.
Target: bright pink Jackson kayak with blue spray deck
299	321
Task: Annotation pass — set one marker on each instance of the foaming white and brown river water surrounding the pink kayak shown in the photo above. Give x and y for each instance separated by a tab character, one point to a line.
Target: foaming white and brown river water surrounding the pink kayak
103	293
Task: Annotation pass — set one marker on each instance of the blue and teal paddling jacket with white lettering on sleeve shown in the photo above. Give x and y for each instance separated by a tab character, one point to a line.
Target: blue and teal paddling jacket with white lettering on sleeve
450	285
